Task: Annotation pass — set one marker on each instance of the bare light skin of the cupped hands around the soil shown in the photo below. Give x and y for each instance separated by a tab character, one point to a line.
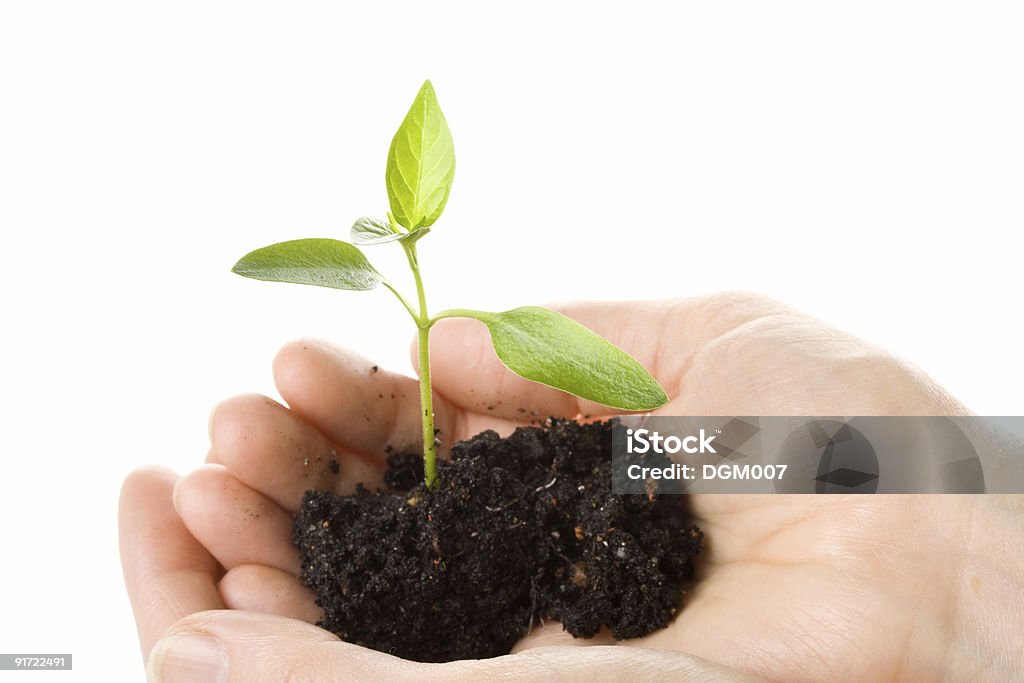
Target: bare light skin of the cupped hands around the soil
793	588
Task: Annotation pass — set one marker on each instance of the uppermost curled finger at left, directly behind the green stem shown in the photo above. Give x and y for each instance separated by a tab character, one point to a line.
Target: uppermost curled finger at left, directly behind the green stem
354	402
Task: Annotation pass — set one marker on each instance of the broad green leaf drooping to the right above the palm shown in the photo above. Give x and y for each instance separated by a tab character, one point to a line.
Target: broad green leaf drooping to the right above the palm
548	348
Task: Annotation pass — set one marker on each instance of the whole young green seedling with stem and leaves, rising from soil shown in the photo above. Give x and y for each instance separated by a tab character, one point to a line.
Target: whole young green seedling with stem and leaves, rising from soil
536	344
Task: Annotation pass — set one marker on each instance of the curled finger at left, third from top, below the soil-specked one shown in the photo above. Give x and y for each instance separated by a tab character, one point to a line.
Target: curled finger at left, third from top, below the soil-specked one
238	525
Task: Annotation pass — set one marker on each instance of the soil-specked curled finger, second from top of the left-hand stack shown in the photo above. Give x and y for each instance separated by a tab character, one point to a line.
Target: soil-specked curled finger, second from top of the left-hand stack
275	452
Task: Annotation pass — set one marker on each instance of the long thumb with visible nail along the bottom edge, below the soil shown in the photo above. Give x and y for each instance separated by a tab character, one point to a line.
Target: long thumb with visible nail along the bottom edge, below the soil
231	647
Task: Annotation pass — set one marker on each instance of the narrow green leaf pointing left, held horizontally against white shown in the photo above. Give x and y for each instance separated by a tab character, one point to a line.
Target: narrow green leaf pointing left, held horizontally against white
315	262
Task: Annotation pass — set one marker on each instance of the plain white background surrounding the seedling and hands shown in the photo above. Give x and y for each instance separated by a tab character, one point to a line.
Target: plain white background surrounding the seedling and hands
860	161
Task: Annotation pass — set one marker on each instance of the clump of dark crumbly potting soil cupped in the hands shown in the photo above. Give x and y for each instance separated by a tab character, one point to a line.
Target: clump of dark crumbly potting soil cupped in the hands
519	530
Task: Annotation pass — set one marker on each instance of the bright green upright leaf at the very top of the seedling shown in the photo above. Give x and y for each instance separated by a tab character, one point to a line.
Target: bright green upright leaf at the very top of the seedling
420	163
